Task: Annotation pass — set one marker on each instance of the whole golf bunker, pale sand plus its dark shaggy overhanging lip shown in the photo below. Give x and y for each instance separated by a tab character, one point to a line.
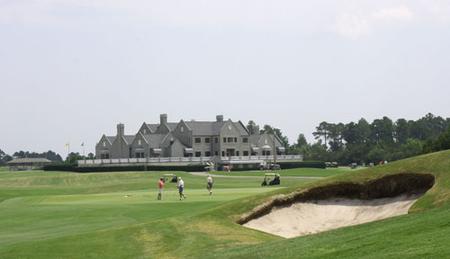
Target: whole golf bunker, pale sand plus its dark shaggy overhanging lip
338	205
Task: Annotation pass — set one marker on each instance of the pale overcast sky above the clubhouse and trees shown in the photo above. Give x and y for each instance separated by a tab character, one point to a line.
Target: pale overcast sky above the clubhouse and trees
71	69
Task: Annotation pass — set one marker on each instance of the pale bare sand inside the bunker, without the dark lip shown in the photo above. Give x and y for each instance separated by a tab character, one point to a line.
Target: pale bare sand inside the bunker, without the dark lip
307	218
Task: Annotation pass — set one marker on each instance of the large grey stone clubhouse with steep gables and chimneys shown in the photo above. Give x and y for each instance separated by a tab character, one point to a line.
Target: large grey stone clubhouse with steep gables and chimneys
219	138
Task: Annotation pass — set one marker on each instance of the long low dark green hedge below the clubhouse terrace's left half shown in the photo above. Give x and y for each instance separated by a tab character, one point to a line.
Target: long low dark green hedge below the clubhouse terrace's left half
74	168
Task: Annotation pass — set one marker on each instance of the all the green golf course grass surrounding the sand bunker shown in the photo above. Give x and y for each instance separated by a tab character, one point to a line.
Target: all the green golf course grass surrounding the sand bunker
63	215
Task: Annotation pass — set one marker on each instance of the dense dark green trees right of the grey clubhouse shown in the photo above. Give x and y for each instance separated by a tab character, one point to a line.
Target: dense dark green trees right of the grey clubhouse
382	139
